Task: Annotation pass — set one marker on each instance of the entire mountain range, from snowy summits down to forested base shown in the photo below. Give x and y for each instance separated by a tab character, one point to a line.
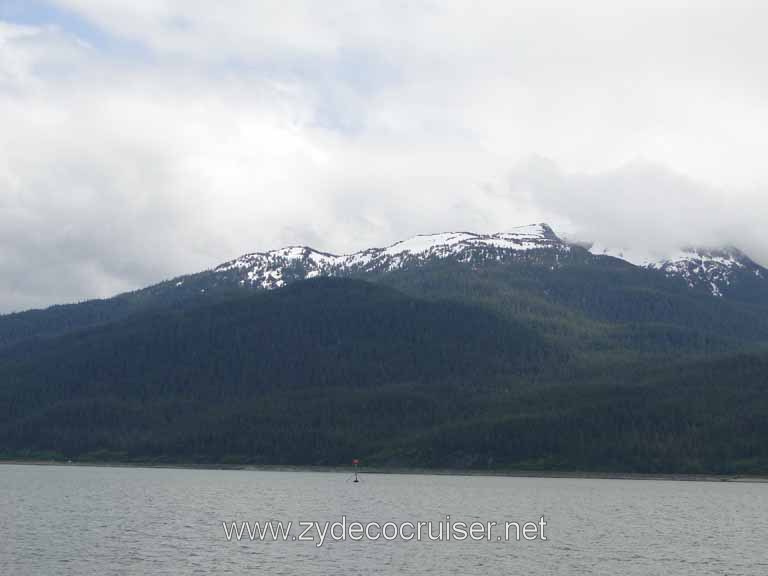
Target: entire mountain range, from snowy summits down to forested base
514	350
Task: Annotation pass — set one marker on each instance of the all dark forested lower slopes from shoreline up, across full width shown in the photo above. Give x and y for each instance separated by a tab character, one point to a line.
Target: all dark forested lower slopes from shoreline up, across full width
330	369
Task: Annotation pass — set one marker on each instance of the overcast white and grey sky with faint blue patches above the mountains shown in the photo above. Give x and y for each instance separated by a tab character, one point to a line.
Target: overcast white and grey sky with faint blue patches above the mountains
144	139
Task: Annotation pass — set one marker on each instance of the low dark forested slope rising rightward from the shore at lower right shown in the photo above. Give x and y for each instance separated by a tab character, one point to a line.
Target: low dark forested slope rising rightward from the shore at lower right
702	418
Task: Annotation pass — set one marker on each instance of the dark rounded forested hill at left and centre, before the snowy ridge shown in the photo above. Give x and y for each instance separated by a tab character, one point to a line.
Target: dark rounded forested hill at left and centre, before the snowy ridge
153	384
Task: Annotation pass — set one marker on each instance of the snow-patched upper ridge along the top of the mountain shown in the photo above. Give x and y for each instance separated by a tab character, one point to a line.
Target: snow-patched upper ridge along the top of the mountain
725	272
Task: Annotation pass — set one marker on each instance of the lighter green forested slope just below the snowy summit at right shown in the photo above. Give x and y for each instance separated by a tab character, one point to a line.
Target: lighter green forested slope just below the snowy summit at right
594	304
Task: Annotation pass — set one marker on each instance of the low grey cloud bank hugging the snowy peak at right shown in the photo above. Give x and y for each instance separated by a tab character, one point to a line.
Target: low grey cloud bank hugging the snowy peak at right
643	206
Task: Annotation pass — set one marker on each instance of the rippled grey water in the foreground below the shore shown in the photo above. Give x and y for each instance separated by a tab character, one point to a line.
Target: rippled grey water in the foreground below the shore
93	521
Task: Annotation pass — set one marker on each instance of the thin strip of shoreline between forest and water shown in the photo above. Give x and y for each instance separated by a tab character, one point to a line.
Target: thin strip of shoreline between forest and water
413	471
